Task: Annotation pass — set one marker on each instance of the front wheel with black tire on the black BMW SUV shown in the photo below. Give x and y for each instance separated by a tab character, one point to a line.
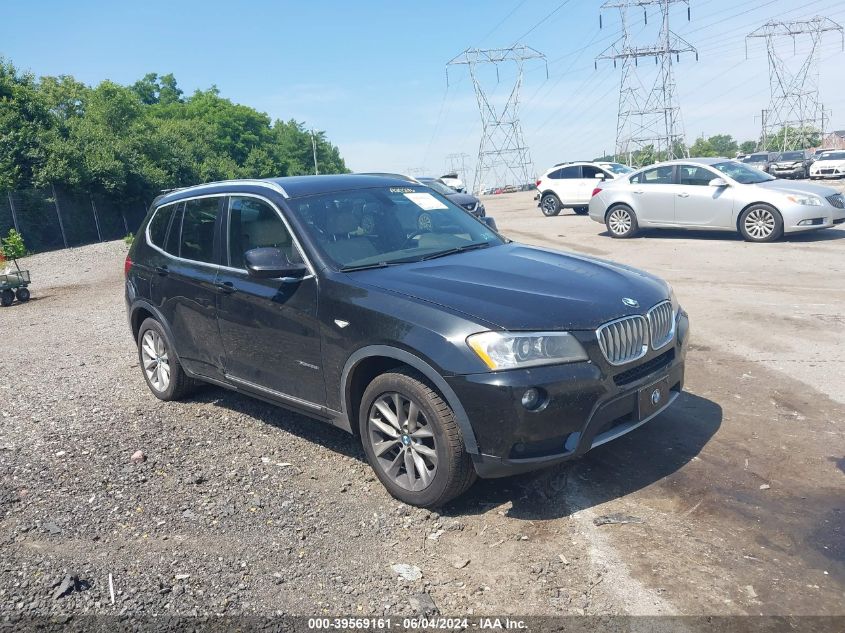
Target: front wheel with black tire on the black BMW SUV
412	440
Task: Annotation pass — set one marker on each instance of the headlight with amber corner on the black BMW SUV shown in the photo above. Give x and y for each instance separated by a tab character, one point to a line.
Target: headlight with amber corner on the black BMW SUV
514	350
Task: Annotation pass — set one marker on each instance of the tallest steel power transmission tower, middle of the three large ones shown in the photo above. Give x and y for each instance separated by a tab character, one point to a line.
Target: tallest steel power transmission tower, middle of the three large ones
648	113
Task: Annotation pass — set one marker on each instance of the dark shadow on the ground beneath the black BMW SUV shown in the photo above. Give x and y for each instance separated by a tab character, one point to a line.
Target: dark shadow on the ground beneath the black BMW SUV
618	468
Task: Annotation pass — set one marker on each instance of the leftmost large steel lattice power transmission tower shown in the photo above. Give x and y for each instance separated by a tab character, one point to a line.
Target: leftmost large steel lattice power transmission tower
502	152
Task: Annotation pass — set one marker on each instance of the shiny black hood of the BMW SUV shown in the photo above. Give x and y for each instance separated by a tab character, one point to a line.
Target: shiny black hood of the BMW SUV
518	287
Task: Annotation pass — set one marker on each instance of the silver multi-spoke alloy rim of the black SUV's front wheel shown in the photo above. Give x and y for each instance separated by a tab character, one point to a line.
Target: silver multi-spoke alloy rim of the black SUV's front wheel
403	441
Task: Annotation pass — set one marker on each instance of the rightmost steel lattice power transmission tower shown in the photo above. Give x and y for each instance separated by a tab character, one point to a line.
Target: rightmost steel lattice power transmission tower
795	115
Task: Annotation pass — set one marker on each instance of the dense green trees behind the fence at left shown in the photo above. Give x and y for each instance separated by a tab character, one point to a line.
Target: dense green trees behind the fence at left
133	141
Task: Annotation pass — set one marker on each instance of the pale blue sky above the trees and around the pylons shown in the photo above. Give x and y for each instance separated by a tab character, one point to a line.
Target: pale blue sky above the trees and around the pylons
372	73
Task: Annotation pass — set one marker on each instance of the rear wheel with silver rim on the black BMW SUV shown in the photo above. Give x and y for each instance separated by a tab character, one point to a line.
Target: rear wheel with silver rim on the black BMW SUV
161	369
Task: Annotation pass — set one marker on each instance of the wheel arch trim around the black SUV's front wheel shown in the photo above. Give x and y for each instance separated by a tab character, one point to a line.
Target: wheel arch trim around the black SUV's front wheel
366	363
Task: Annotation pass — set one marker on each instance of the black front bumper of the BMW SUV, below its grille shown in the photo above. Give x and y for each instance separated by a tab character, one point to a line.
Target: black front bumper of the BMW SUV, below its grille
587	404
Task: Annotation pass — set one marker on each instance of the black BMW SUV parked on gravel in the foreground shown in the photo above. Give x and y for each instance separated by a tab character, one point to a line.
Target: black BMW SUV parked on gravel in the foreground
379	306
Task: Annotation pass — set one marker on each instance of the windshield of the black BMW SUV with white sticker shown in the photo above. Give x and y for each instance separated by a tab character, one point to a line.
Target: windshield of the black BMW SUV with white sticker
382	226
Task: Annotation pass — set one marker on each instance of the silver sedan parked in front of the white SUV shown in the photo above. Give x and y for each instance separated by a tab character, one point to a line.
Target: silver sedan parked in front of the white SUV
714	194
